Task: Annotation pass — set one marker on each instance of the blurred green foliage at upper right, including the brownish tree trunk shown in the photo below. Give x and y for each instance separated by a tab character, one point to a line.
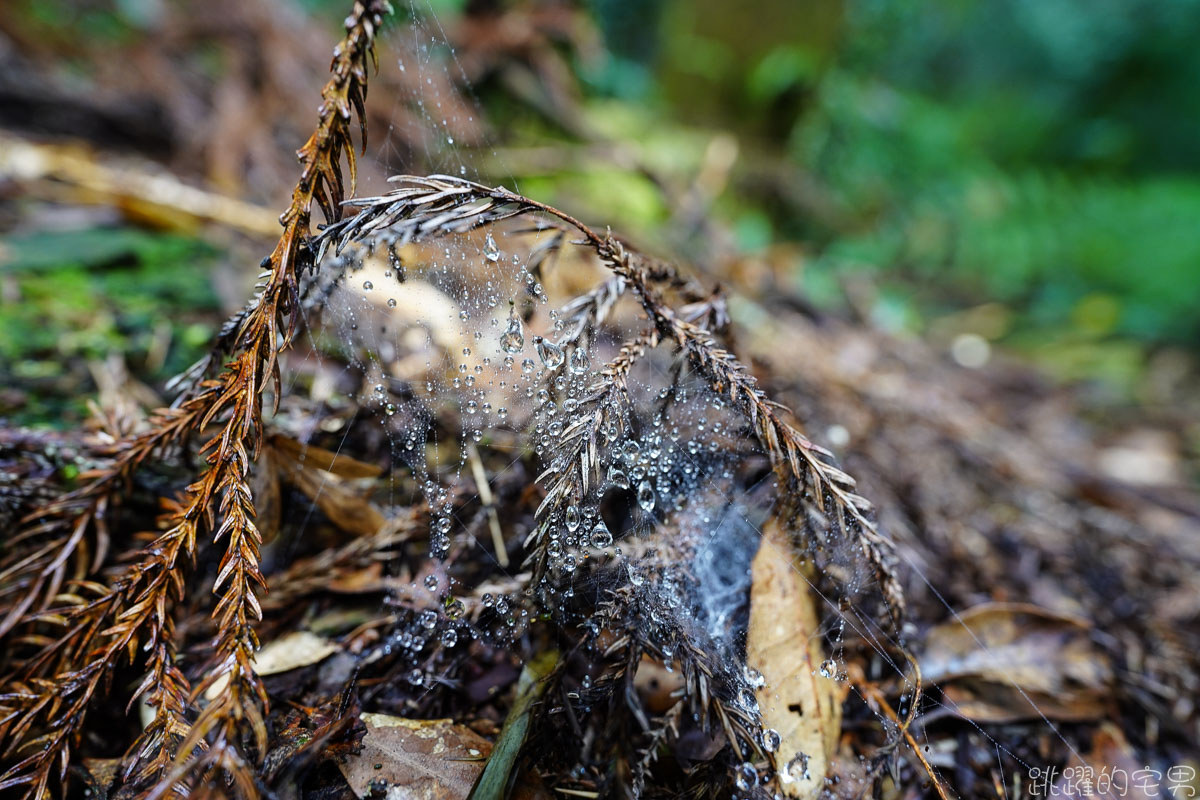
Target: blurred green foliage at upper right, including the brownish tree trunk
1035	153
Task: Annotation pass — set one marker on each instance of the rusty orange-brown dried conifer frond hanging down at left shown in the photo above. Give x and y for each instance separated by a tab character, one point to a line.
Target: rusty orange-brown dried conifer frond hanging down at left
45	706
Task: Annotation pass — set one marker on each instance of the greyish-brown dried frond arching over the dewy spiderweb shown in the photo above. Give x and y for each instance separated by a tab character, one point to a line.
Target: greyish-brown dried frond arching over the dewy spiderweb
823	494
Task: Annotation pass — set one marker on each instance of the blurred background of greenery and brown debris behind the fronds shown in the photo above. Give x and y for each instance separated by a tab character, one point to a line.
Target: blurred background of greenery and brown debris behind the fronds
1012	179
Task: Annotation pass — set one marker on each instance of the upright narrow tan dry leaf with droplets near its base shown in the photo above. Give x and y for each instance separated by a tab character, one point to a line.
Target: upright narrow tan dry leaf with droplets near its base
784	643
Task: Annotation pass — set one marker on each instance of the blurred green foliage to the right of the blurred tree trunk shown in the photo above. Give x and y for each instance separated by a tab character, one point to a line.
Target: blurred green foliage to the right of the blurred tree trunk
1030	152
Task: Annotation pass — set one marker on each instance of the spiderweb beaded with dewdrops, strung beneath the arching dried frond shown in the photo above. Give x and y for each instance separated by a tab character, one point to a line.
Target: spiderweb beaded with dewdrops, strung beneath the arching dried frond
466	357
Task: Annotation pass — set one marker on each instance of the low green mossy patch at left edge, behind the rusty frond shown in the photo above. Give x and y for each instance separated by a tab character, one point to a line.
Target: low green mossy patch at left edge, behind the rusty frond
79	296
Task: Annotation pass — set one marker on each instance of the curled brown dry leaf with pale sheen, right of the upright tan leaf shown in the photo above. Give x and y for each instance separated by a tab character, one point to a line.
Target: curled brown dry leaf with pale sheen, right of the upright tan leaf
1000	663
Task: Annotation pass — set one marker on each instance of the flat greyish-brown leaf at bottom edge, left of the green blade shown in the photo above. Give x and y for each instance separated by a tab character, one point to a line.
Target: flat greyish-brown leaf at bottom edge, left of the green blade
425	760
